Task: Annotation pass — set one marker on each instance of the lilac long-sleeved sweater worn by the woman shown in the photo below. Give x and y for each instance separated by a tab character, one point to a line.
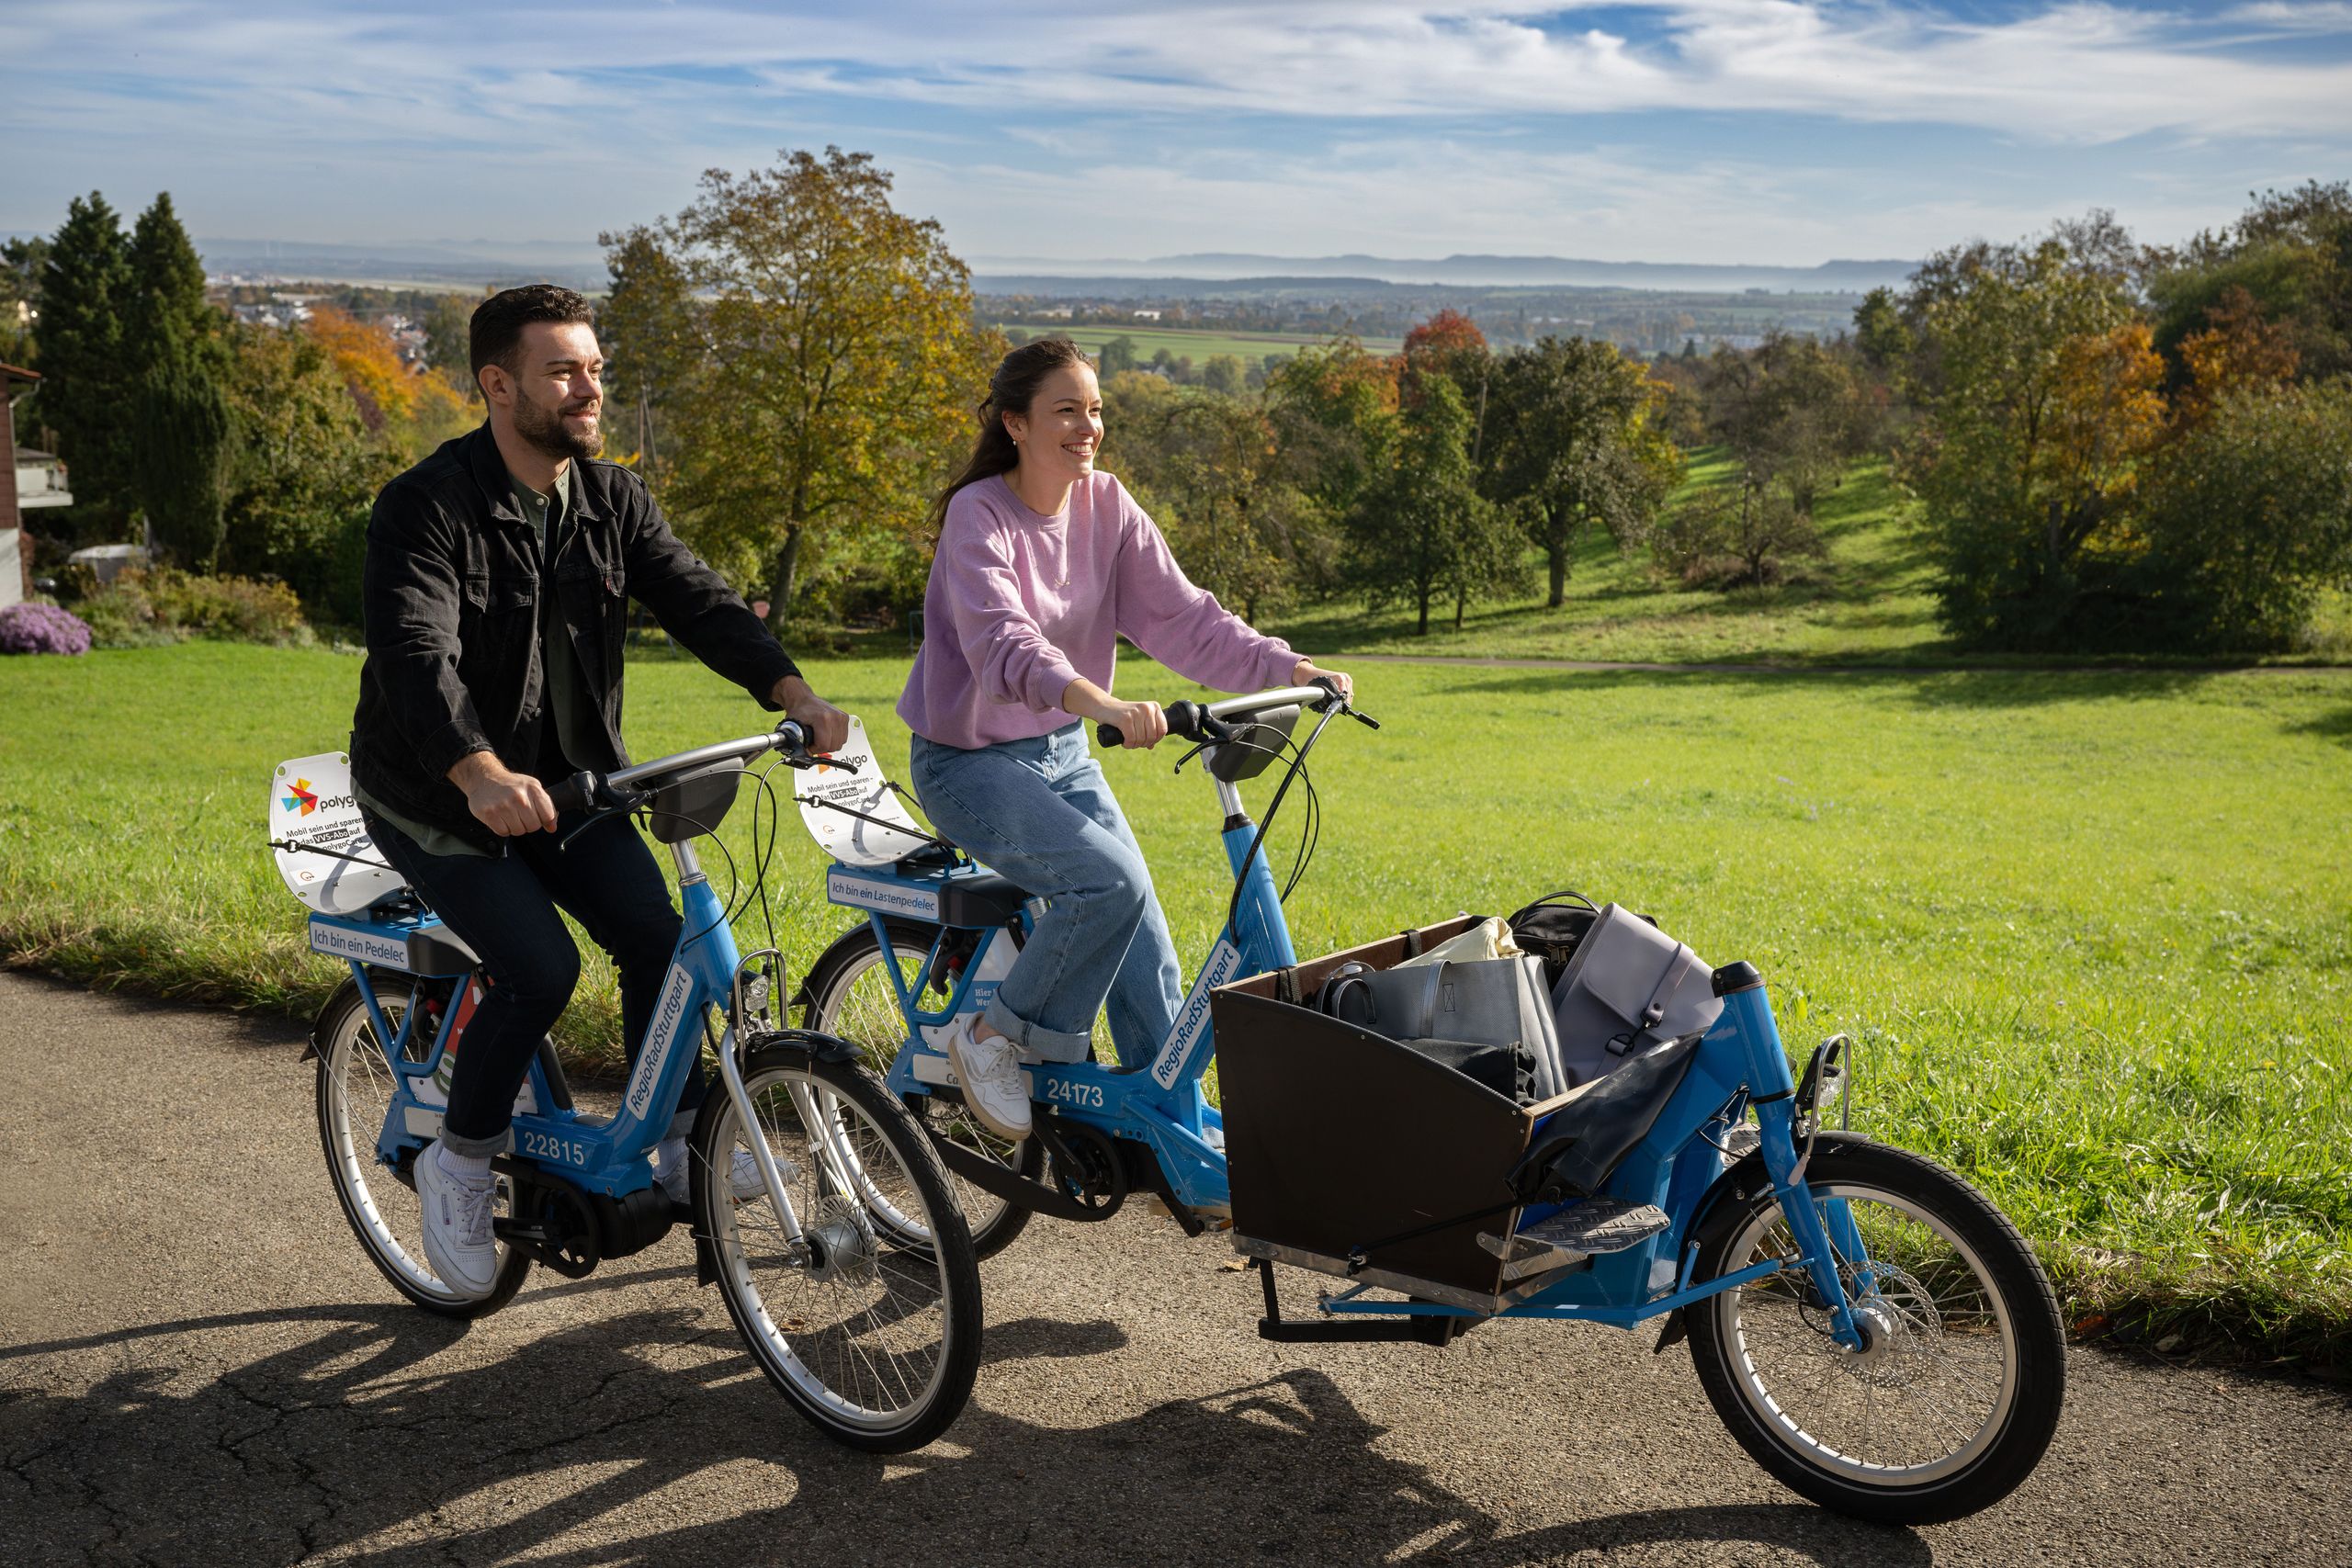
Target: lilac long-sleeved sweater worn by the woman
1022	605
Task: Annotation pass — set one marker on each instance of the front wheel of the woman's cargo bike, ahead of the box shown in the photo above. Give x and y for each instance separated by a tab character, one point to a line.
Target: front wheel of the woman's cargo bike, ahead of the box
1916	1224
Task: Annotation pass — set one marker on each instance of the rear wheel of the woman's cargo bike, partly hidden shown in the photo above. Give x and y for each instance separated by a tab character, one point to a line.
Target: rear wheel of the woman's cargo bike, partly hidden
834	1007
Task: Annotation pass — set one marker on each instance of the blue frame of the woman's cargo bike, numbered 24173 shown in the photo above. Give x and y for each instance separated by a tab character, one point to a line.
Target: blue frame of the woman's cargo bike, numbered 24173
1678	1167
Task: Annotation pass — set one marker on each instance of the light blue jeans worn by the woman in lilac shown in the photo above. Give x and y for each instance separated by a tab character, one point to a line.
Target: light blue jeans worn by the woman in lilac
1041	815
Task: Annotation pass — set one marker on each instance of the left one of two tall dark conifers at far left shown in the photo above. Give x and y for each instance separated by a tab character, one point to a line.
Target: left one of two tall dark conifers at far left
86	377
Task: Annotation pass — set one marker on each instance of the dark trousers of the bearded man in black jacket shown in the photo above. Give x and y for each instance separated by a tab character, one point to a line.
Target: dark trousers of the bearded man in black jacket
505	909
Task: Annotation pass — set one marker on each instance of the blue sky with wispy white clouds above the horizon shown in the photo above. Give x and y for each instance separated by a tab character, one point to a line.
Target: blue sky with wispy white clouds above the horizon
1685	130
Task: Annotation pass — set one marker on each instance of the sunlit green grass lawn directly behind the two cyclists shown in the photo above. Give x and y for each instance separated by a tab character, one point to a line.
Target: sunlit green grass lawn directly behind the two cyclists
2092	927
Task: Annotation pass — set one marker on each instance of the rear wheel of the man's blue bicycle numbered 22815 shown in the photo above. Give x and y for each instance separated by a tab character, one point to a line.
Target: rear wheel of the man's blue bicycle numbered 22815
354	1099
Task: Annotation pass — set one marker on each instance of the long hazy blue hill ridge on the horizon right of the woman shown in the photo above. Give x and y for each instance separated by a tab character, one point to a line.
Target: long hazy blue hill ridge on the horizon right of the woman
1462	272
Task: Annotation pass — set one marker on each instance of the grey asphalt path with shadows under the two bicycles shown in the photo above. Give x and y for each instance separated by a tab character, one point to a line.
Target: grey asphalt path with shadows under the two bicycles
199	1367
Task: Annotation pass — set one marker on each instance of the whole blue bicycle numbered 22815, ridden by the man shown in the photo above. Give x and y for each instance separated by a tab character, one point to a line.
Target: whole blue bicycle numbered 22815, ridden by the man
850	1278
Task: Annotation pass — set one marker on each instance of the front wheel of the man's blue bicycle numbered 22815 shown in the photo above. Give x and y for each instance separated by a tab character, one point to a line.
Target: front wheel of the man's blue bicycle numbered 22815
871	1325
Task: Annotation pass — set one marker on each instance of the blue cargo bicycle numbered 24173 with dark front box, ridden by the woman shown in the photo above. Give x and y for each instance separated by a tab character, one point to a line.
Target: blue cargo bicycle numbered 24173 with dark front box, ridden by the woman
1869	1327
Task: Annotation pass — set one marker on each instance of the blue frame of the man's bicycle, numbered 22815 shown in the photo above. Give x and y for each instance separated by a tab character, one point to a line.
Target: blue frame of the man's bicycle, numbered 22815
610	1158
